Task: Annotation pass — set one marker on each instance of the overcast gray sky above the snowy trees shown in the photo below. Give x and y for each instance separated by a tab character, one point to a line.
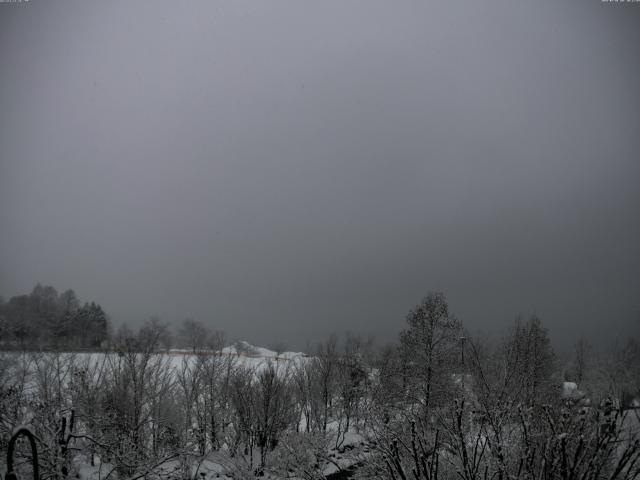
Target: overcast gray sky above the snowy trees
285	169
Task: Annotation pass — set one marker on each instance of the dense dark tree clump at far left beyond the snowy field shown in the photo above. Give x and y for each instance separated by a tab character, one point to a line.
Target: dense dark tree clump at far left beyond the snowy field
45	319
